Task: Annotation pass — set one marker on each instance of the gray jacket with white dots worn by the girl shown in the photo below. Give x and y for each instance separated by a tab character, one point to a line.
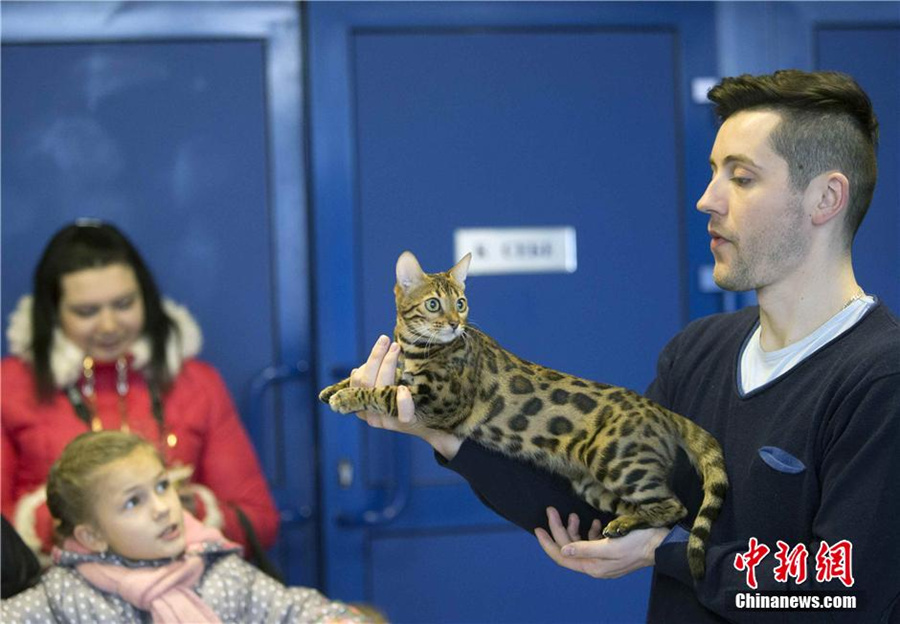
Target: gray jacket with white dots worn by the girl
234	589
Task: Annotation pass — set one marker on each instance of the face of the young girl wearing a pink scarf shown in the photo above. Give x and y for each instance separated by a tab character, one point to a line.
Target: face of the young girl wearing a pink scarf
137	512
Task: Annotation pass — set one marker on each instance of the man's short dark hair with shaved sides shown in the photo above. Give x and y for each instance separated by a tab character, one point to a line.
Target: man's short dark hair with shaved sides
827	123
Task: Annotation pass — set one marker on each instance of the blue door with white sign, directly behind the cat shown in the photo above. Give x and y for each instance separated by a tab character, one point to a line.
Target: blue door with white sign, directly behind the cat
429	118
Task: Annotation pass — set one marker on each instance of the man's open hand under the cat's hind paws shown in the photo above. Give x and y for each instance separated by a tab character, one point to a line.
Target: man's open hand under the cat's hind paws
601	558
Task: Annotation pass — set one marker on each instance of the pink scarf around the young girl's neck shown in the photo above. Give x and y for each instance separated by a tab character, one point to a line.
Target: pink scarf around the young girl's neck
165	591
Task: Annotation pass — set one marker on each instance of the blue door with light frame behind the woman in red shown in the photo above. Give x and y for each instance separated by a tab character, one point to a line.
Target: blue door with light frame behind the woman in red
192	146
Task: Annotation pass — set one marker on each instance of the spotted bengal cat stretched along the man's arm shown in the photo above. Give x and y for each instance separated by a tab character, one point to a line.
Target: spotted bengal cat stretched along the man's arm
616	446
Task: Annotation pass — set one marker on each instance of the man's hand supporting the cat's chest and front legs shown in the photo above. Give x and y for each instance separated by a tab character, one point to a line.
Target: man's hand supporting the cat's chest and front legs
380	370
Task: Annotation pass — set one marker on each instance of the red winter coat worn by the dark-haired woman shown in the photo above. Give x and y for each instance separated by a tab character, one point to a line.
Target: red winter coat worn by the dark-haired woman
198	410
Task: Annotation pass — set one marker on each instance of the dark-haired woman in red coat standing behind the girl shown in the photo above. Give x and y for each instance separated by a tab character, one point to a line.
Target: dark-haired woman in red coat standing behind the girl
96	347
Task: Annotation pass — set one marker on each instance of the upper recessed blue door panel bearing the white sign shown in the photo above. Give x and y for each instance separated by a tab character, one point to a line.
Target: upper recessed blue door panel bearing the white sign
440	121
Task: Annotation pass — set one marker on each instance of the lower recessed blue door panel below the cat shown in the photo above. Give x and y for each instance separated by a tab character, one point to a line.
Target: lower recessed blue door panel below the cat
493	575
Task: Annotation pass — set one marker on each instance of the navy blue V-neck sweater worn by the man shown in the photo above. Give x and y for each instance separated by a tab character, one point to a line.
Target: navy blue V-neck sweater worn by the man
812	456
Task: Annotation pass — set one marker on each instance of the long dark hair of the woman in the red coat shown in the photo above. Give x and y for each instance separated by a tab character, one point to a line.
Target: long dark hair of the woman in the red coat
91	244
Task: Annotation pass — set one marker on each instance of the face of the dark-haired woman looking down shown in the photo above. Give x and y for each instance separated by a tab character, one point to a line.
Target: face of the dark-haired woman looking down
102	310
